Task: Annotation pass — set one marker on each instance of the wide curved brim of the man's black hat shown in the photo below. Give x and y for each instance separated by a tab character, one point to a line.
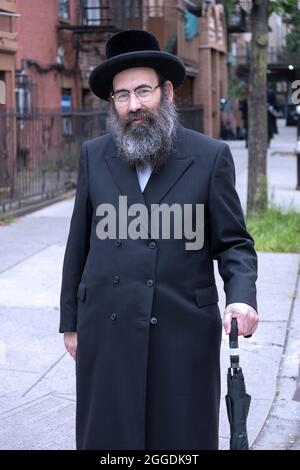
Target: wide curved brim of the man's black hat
170	66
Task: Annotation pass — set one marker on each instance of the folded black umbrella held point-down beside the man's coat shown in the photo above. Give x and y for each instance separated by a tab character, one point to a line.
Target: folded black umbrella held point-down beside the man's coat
237	400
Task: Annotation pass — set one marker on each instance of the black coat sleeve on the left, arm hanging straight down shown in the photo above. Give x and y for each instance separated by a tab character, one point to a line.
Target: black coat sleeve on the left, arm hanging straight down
77	248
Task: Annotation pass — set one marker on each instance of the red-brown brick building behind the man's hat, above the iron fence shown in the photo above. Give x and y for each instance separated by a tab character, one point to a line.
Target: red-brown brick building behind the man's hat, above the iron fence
56	52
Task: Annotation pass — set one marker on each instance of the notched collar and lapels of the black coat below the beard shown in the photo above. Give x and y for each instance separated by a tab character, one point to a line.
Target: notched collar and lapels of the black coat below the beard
159	184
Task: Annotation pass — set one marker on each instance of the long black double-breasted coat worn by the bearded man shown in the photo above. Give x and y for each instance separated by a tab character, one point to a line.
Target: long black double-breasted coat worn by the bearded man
145	310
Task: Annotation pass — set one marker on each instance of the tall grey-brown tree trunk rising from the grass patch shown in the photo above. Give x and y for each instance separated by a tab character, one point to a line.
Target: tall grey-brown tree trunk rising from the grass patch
257	110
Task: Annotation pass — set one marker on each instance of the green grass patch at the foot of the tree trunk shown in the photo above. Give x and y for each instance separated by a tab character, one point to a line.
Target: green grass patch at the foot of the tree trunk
275	231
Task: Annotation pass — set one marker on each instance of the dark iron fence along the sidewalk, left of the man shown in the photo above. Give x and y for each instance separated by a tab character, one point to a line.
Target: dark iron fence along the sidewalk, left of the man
39	153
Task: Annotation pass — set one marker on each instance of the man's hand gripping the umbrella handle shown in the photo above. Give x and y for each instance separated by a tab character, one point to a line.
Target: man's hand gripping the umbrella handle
247	318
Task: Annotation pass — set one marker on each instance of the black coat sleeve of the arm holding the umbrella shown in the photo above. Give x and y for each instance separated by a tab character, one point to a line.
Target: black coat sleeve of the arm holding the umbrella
232	246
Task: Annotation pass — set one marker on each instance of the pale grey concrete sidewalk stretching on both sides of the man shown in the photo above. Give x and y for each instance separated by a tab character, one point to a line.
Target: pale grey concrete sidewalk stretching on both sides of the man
37	405
